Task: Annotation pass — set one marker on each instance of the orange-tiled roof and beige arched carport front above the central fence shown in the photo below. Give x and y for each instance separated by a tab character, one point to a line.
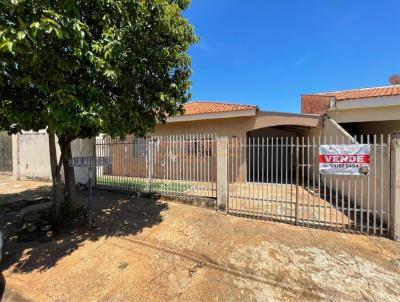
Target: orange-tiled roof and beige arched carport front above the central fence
235	120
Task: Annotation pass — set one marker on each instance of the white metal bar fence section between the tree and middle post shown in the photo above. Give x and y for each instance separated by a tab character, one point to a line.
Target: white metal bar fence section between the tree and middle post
171	165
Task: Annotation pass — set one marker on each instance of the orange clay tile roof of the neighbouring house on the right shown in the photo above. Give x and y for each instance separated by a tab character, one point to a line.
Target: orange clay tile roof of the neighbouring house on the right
360	93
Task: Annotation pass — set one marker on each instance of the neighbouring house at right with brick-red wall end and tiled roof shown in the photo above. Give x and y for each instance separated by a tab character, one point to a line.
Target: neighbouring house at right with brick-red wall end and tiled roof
374	110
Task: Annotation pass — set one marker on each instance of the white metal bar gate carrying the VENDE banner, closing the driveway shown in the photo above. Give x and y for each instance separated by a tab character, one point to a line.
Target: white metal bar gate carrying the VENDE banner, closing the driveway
277	178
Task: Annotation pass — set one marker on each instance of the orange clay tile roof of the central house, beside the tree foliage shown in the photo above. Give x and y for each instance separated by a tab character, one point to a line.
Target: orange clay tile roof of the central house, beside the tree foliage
202	107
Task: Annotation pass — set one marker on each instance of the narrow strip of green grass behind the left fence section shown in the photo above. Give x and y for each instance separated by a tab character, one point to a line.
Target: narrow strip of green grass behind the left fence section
143	185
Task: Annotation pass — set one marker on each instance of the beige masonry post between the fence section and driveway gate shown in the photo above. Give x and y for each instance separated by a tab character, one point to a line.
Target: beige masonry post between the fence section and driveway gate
222	173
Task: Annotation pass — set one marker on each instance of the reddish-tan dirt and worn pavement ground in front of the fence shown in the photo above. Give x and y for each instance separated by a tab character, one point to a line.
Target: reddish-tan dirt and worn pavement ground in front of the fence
151	250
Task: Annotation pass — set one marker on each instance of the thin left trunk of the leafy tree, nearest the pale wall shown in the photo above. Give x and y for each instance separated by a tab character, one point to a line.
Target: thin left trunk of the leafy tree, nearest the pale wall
56	177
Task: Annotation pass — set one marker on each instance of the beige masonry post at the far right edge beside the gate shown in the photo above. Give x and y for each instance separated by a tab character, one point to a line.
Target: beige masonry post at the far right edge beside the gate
395	186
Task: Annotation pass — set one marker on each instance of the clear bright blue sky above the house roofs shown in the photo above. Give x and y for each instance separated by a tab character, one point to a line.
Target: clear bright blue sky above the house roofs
269	52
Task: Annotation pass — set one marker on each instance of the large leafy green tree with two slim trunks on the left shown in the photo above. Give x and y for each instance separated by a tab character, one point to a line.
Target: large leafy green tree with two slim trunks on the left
81	68
